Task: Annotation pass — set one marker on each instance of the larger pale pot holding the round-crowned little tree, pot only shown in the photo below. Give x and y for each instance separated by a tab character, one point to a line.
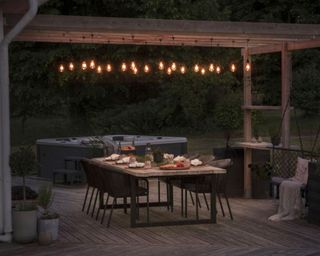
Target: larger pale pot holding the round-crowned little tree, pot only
24	226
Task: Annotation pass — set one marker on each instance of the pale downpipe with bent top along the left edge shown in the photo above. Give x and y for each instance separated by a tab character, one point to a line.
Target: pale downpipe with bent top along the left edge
5	173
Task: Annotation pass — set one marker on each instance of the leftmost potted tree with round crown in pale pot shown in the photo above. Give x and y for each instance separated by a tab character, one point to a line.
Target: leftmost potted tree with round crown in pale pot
24	216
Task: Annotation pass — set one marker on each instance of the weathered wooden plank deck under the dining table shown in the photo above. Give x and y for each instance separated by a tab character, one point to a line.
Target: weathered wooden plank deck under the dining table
249	234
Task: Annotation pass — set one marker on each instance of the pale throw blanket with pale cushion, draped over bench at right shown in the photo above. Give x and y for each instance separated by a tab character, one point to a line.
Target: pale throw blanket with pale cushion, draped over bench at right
291	205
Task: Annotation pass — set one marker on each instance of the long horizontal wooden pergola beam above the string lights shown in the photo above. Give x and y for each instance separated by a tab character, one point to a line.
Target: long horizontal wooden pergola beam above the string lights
172	32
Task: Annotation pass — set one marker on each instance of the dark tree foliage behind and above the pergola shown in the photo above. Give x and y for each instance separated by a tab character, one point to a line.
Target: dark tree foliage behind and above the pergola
120	102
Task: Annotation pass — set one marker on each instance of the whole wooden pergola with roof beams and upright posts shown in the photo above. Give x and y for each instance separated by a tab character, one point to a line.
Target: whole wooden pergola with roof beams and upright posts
19	22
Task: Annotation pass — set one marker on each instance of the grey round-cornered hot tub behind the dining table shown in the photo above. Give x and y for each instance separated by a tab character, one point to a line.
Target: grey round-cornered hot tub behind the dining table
52	152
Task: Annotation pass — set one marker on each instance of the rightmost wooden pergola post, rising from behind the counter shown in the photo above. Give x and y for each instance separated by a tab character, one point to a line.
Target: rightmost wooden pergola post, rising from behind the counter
286	80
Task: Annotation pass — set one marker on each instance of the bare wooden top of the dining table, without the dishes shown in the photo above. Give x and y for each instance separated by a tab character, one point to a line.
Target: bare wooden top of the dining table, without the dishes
157	172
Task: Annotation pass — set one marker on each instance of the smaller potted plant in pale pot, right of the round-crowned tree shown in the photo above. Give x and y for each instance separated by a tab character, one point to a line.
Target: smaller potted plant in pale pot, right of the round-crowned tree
48	223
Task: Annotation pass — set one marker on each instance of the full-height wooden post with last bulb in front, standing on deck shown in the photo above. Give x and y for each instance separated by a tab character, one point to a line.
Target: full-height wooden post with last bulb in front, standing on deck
247	128
